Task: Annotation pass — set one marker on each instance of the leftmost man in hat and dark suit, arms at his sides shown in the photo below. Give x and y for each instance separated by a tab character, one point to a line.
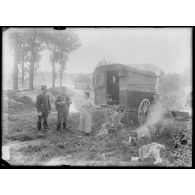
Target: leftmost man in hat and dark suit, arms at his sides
43	107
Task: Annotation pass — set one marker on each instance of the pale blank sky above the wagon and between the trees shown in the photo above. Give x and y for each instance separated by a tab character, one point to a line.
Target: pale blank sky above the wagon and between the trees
168	48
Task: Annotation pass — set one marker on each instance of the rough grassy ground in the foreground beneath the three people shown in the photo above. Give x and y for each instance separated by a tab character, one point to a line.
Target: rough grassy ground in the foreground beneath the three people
29	147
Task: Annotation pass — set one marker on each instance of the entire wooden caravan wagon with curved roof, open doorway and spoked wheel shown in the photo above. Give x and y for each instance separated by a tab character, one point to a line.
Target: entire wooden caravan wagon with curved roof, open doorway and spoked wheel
126	87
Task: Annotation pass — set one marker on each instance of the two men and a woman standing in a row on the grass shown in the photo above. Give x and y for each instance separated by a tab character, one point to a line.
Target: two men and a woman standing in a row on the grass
62	105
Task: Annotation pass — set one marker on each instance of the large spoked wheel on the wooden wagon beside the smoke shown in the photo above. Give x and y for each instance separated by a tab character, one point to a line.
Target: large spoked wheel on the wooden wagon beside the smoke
143	110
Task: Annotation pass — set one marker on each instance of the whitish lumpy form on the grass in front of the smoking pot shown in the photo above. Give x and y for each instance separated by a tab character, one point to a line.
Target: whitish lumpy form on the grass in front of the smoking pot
152	150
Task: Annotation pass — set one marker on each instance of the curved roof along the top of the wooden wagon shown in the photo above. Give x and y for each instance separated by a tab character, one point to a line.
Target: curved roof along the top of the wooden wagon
118	67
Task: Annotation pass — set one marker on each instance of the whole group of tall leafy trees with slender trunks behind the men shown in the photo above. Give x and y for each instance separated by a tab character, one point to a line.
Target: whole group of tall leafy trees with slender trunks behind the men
27	45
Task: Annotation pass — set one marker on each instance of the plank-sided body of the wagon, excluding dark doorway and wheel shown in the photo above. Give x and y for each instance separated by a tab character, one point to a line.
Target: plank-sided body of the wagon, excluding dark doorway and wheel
134	85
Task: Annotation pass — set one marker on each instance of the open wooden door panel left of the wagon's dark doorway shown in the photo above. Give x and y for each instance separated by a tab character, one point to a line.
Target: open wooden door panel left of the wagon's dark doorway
100	89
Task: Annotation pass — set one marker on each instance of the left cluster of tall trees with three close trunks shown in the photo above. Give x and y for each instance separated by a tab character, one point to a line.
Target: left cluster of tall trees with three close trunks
26	44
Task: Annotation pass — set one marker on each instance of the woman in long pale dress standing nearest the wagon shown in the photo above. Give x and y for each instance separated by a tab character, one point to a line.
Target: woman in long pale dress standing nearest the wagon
87	110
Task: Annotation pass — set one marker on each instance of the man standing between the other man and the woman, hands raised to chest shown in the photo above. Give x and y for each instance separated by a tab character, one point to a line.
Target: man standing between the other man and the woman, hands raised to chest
62	106
